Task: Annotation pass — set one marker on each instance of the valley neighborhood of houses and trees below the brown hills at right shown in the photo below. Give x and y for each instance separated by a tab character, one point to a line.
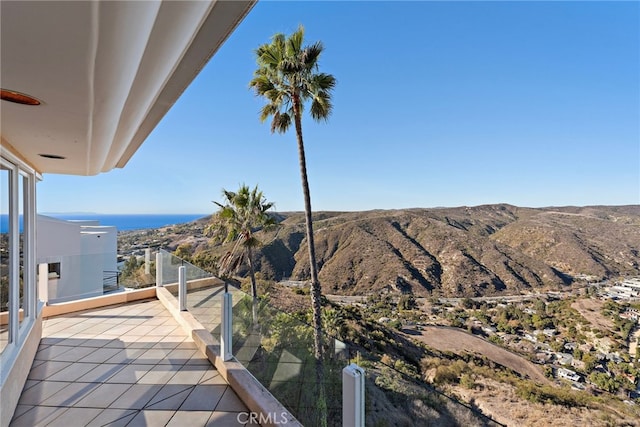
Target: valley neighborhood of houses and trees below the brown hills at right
586	340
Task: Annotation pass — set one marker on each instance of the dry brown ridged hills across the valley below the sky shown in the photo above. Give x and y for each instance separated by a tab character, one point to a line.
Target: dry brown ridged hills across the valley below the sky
465	251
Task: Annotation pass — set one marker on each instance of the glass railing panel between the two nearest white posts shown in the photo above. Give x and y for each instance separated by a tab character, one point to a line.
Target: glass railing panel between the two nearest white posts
277	349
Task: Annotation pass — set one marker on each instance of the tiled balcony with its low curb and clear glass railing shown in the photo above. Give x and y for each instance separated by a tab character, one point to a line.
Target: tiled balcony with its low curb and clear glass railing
135	358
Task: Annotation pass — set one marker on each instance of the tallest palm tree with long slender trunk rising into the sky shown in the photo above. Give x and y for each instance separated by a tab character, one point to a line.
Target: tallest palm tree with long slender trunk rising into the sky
287	77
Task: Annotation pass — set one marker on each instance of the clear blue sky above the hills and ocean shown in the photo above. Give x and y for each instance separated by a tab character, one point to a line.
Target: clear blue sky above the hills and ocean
437	104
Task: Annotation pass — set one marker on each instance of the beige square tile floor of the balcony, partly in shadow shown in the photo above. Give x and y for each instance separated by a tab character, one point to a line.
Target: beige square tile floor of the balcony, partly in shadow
126	365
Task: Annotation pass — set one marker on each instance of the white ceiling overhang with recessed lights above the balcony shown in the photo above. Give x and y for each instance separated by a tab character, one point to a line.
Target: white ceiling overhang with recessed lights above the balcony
105	72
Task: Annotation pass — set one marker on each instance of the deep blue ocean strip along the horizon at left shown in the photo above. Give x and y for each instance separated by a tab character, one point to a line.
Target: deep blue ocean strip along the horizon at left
123	222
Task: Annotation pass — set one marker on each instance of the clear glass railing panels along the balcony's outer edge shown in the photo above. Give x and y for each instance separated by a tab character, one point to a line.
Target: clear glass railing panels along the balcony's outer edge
277	349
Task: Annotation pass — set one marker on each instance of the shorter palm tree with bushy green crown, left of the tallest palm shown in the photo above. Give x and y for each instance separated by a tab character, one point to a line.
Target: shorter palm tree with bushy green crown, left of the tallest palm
242	213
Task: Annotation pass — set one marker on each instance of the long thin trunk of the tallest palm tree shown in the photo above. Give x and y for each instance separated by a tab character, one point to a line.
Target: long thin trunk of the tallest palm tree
315	283
